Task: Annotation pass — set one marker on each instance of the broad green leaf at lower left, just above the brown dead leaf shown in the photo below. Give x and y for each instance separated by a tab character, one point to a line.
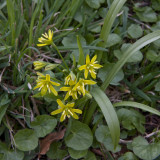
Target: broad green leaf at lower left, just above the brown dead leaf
43	125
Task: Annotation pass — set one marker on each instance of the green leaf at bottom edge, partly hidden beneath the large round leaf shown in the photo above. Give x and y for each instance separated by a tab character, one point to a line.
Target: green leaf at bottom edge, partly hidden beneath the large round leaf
77	154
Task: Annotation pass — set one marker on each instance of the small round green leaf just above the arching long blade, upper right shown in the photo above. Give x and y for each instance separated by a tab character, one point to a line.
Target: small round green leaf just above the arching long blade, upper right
135	31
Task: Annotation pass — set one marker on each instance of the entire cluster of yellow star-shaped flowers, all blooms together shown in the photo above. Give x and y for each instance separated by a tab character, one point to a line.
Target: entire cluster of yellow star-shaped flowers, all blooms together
74	85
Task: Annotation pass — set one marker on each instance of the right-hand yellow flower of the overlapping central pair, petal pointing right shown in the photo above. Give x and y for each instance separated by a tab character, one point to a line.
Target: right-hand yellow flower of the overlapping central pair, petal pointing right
80	86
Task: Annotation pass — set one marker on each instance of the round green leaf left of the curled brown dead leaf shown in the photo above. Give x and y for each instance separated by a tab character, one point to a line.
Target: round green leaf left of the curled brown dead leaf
26	140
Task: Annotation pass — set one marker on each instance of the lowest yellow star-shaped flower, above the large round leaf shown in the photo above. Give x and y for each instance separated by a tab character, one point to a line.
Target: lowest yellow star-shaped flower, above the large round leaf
67	110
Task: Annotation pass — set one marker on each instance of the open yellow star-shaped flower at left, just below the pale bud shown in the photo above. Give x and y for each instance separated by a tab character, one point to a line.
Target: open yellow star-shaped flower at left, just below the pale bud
45	84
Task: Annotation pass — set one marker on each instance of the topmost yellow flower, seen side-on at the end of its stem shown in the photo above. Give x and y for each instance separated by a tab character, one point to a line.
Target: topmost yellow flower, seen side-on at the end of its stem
46	39
